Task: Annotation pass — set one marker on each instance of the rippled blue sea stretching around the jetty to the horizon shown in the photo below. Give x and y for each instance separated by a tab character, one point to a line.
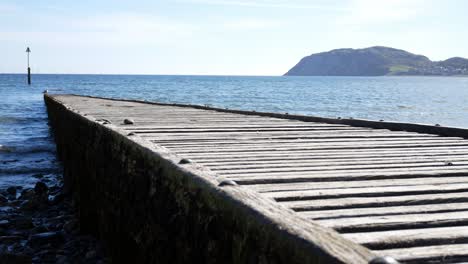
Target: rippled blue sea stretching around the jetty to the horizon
27	149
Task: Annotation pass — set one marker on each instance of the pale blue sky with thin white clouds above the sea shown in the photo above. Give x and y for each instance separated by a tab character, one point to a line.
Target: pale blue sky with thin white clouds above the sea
217	37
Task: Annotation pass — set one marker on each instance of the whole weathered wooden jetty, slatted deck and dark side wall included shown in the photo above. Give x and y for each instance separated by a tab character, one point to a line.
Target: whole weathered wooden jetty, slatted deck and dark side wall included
247	187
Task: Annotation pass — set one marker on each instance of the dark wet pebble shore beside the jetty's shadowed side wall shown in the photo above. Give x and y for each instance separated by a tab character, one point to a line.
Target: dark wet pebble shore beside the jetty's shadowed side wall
39	225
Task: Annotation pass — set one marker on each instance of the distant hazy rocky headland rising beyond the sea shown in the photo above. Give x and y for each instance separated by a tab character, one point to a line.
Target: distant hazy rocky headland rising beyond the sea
376	61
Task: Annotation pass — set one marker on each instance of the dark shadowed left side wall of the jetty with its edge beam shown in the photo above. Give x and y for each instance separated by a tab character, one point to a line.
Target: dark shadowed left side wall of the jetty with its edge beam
150	209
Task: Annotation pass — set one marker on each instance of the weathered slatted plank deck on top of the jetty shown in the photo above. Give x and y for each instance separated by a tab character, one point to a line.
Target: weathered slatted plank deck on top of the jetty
400	194
